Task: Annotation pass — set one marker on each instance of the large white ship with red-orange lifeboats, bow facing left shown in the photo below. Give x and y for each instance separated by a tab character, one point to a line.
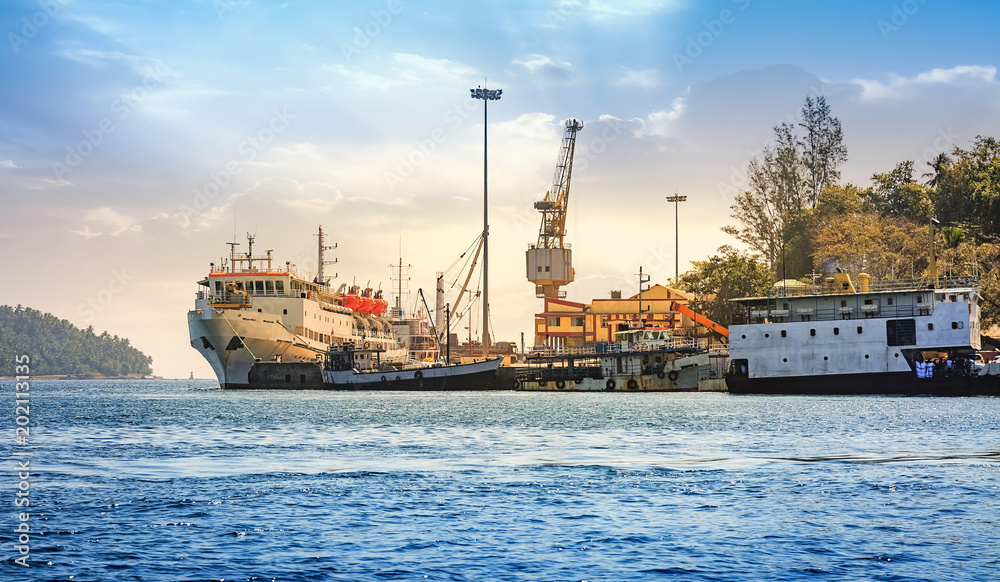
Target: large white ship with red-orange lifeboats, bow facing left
250	310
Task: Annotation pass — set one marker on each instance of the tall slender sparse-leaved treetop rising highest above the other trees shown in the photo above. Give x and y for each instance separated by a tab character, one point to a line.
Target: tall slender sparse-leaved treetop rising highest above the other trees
822	148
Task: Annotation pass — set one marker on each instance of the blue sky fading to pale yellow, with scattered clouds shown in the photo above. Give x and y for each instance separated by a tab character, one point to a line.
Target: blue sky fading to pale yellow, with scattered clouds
138	138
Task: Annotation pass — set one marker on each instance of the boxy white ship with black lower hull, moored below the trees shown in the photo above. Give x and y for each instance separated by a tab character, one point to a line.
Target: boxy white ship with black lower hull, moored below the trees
912	337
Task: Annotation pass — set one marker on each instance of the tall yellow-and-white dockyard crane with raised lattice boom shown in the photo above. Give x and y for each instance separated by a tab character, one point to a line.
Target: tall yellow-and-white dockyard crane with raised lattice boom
550	260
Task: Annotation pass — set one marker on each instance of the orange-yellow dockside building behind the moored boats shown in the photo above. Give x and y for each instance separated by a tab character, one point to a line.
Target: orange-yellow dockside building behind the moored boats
567	323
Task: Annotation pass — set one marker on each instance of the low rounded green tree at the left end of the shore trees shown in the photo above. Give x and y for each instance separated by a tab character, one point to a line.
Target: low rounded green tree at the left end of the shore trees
722	277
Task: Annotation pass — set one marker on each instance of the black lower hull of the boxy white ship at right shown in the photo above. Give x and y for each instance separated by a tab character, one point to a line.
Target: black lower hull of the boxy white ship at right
888	383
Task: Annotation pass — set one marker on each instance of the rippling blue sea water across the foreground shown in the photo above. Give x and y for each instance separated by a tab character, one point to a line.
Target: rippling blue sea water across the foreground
177	480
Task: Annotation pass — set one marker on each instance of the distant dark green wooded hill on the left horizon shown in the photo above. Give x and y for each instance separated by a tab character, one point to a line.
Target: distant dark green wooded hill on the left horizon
56	346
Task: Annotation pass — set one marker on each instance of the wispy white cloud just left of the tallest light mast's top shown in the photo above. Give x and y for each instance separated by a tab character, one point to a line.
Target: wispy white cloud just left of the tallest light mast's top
404	69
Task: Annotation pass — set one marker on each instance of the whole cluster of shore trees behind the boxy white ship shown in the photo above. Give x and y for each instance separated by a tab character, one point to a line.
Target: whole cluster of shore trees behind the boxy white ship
797	220
